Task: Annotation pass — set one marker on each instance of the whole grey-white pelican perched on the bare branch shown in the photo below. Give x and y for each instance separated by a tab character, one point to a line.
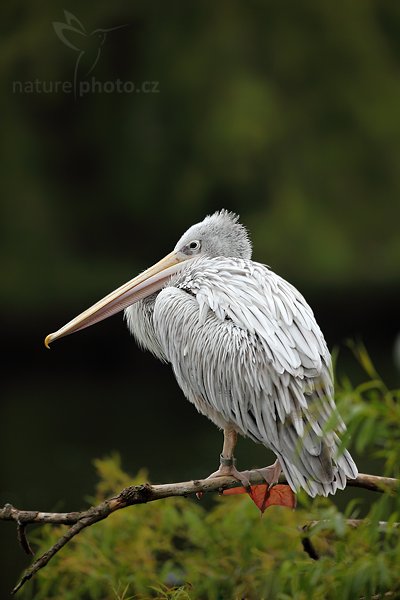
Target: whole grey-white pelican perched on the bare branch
245	349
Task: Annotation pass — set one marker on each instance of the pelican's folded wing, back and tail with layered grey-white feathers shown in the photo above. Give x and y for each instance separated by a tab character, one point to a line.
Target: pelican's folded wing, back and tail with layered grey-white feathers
246	349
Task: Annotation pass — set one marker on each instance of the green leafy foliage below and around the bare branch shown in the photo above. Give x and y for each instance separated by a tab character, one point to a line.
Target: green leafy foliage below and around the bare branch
177	549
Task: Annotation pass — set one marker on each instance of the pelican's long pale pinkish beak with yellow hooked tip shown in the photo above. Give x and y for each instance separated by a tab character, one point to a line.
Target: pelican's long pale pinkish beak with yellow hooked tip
141	286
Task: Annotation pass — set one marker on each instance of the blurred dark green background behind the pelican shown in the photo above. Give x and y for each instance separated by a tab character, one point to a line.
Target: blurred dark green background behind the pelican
287	113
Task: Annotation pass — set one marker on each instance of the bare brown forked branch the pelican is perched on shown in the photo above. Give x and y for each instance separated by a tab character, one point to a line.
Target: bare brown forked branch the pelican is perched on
140	494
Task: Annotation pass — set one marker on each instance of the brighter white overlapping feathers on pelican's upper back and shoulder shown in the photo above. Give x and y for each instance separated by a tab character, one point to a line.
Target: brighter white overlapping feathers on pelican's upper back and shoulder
262	304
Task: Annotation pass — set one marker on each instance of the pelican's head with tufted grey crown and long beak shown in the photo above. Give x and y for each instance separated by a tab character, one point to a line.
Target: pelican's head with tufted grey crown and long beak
219	234
